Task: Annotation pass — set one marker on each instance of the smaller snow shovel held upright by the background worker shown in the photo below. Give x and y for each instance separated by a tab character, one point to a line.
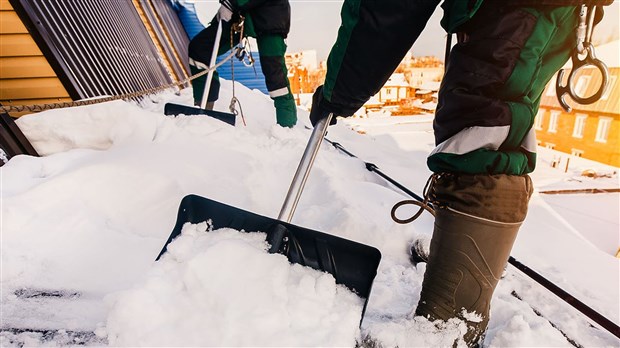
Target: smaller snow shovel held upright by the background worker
177	109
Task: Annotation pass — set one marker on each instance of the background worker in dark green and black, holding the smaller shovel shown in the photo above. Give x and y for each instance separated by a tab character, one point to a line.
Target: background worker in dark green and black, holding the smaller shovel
269	22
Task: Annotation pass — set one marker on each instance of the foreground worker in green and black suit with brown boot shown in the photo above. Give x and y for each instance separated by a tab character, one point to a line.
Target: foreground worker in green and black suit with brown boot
507	51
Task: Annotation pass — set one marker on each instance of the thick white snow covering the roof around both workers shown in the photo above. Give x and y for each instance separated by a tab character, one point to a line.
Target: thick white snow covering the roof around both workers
90	216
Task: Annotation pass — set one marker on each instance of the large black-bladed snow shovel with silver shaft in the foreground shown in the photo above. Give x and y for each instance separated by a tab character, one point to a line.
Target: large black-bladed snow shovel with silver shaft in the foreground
352	264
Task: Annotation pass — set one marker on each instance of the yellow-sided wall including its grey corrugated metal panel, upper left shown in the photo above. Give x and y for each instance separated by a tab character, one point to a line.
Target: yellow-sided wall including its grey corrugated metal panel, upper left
125	47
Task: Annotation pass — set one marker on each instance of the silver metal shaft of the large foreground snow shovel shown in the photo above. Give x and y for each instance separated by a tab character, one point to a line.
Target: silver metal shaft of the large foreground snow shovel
303	170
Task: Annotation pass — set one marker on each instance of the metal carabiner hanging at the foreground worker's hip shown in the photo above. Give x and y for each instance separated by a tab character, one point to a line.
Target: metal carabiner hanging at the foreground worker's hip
584	46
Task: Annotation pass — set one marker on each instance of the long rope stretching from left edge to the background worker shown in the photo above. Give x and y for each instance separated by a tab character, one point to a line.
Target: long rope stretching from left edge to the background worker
97	100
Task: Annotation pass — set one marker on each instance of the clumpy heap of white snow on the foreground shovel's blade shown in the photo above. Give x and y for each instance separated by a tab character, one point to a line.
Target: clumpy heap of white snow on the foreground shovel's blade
221	288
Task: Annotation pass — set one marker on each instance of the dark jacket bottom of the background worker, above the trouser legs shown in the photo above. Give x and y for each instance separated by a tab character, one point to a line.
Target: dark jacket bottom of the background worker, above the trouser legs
264	16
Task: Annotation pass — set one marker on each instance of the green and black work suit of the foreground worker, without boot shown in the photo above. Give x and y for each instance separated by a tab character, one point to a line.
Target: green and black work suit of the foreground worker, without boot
507	52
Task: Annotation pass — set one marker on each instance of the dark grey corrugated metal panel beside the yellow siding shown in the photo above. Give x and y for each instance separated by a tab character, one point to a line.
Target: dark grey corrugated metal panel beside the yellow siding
95	47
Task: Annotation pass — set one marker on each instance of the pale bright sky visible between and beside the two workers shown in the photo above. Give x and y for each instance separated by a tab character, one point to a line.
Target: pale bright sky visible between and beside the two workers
314	26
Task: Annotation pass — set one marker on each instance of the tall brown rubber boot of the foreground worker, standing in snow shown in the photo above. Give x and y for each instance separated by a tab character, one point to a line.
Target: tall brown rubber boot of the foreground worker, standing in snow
476	223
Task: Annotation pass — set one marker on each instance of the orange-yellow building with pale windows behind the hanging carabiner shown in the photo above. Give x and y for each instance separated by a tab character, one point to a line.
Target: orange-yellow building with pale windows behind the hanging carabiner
588	131
